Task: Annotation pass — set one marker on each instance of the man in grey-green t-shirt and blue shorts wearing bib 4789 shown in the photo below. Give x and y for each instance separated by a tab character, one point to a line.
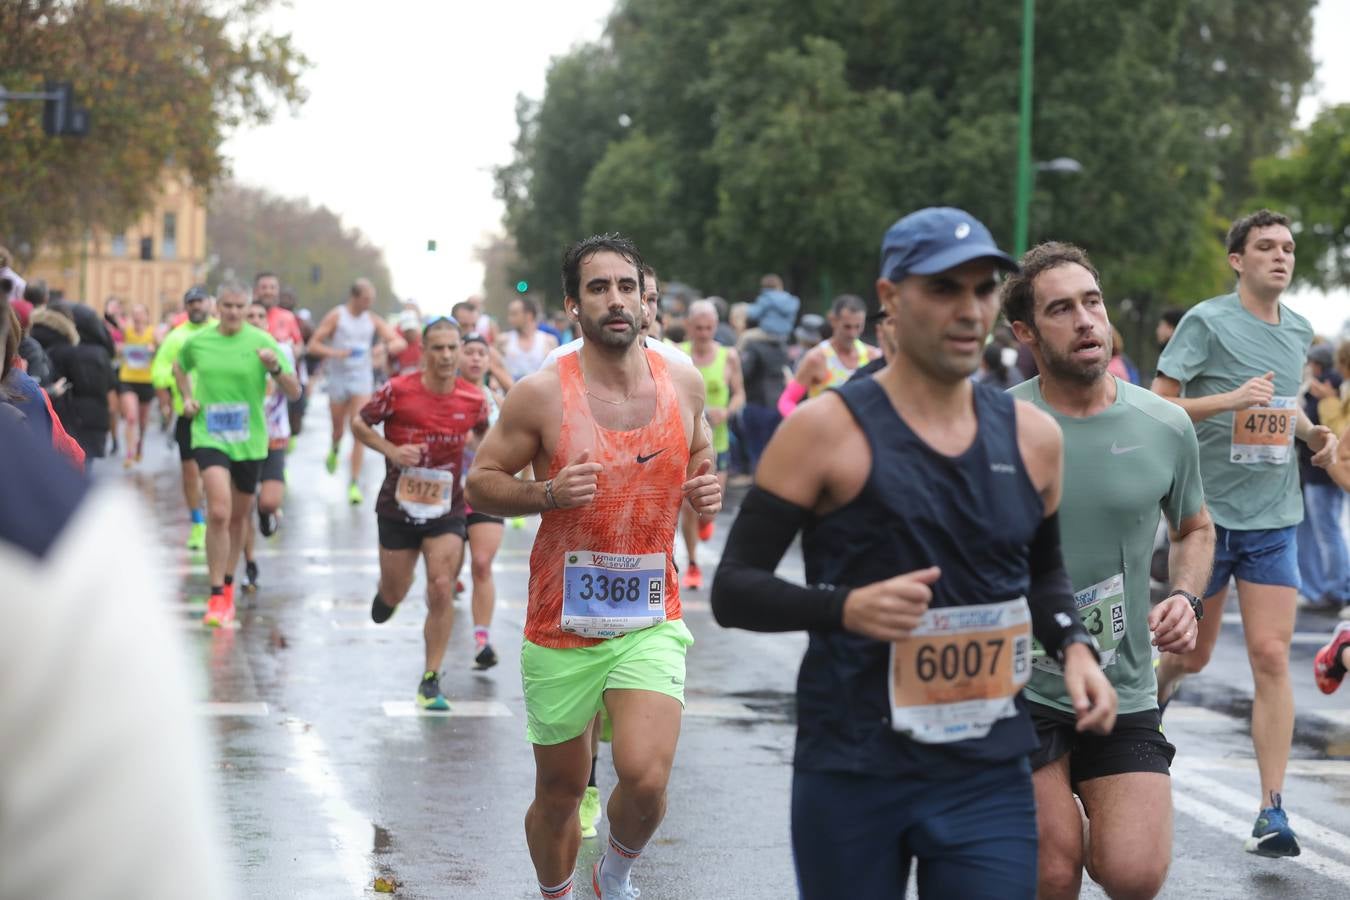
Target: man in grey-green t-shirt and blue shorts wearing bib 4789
1236	365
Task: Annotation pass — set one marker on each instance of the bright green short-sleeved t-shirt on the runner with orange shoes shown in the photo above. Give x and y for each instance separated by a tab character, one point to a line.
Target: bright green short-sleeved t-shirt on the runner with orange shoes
232	385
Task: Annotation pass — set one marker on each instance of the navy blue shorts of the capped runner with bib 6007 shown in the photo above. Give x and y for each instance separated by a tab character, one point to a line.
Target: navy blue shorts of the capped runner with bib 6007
974	837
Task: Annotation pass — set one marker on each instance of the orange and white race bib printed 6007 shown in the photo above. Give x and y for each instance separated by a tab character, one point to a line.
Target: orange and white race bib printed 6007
961	671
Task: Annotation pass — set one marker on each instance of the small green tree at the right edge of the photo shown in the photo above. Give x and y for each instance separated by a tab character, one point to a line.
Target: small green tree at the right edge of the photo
1310	184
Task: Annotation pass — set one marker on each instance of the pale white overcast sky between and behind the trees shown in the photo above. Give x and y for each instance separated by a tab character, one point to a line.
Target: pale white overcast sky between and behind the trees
404	125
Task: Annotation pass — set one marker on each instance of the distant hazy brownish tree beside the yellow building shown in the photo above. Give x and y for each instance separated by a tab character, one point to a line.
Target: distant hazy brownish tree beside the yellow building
250	230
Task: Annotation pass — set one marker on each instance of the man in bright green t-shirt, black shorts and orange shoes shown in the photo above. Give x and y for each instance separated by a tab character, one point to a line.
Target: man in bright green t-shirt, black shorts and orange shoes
223	374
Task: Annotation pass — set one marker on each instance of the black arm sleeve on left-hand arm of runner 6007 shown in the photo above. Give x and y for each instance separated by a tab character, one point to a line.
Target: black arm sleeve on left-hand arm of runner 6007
746	592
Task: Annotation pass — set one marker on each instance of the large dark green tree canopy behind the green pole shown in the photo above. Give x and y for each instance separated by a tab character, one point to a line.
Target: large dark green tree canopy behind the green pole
731	138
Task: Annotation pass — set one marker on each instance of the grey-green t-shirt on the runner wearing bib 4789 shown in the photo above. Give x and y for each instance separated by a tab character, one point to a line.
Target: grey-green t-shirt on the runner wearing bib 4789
1217	349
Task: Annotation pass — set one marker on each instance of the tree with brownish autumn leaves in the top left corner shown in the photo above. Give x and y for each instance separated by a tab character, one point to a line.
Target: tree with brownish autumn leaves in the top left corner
165	82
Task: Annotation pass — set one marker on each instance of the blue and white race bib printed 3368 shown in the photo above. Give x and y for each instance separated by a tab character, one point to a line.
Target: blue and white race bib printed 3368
612	594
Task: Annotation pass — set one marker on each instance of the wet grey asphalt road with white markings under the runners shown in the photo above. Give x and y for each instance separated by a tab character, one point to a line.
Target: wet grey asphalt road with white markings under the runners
329	777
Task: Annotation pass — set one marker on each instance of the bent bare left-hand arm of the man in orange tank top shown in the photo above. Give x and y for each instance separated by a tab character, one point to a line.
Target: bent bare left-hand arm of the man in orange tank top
511	446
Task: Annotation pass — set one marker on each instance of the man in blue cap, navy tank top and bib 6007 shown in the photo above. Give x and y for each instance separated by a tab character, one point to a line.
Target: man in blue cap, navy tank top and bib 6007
932	547
